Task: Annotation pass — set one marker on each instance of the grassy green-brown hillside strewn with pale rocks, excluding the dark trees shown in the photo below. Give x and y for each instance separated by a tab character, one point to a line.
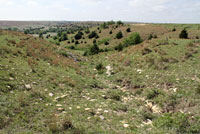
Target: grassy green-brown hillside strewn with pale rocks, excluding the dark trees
152	87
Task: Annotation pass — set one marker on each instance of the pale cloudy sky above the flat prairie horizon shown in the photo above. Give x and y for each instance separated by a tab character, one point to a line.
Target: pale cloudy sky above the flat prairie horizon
156	11
